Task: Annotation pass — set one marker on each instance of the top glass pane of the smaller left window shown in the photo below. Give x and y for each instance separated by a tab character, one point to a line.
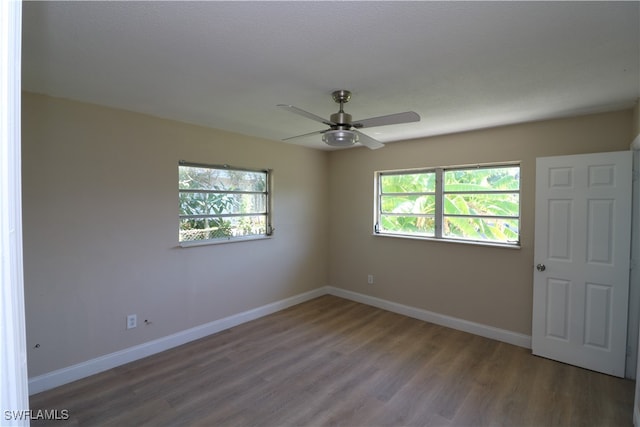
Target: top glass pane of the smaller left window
202	178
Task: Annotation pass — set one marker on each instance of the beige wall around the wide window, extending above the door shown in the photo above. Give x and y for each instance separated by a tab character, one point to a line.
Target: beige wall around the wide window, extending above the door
487	285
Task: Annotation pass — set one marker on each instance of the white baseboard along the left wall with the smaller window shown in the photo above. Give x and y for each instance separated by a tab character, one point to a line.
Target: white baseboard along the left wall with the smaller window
94	366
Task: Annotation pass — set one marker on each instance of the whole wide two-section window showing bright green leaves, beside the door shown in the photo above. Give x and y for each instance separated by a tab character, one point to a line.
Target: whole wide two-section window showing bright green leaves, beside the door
480	204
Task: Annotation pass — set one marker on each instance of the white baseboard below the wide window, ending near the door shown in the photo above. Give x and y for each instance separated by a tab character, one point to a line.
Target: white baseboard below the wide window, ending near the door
497	334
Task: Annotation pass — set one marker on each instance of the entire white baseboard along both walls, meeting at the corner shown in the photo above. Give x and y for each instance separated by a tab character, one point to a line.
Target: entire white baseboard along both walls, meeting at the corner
94	366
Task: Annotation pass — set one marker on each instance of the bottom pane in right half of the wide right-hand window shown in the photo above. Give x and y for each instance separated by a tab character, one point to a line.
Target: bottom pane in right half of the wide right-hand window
497	230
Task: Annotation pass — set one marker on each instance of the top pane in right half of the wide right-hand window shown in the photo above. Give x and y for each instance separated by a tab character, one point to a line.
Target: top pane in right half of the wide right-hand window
482	179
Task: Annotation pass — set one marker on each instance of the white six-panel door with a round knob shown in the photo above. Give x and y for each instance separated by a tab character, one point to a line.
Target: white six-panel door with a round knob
582	251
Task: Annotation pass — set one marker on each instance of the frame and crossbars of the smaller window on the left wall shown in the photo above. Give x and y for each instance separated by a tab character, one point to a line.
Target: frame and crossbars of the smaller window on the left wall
232	238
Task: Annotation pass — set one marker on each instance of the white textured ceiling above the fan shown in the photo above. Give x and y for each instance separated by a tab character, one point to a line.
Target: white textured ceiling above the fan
460	65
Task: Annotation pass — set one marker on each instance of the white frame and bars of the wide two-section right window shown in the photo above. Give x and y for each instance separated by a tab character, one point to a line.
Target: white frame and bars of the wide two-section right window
439	195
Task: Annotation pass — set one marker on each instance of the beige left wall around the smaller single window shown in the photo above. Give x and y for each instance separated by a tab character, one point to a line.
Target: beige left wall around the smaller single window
100	225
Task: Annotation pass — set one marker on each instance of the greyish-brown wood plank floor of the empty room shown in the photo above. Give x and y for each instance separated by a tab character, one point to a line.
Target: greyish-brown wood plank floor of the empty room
331	361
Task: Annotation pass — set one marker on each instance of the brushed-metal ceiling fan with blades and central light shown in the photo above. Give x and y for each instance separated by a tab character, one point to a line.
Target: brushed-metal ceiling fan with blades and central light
343	132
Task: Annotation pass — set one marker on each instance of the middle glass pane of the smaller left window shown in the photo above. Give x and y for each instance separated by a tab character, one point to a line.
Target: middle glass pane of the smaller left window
217	204
